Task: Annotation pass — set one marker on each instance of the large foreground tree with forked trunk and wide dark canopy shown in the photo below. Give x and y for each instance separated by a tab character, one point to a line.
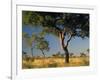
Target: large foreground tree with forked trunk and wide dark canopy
63	25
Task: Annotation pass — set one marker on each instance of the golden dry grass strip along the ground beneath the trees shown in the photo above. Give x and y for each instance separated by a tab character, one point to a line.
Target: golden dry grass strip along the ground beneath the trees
54	62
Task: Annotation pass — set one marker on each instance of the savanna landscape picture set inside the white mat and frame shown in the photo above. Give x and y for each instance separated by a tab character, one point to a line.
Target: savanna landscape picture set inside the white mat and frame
55	34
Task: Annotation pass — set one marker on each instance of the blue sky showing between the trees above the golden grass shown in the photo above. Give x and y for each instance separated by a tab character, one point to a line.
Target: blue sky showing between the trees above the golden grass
76	45
